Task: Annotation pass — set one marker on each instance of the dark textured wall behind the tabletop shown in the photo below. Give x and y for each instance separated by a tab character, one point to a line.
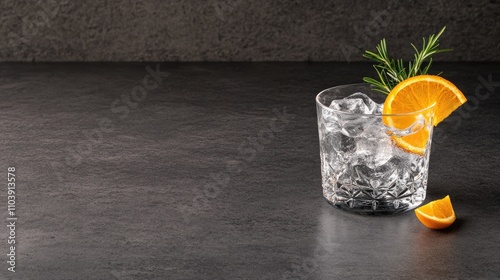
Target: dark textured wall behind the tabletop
241	30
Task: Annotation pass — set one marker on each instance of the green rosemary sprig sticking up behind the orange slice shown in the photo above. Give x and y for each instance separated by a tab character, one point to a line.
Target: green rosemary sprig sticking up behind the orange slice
390	72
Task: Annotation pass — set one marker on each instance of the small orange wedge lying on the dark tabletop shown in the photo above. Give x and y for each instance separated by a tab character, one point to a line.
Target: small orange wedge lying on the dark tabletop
437	214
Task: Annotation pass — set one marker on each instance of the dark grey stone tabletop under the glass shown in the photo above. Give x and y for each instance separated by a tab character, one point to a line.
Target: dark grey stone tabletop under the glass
212	171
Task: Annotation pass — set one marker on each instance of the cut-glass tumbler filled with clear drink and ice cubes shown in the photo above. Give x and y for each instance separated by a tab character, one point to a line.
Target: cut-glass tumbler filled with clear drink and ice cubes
363	168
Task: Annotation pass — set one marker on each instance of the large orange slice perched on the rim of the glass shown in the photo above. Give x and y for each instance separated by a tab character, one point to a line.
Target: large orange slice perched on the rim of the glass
415	94
